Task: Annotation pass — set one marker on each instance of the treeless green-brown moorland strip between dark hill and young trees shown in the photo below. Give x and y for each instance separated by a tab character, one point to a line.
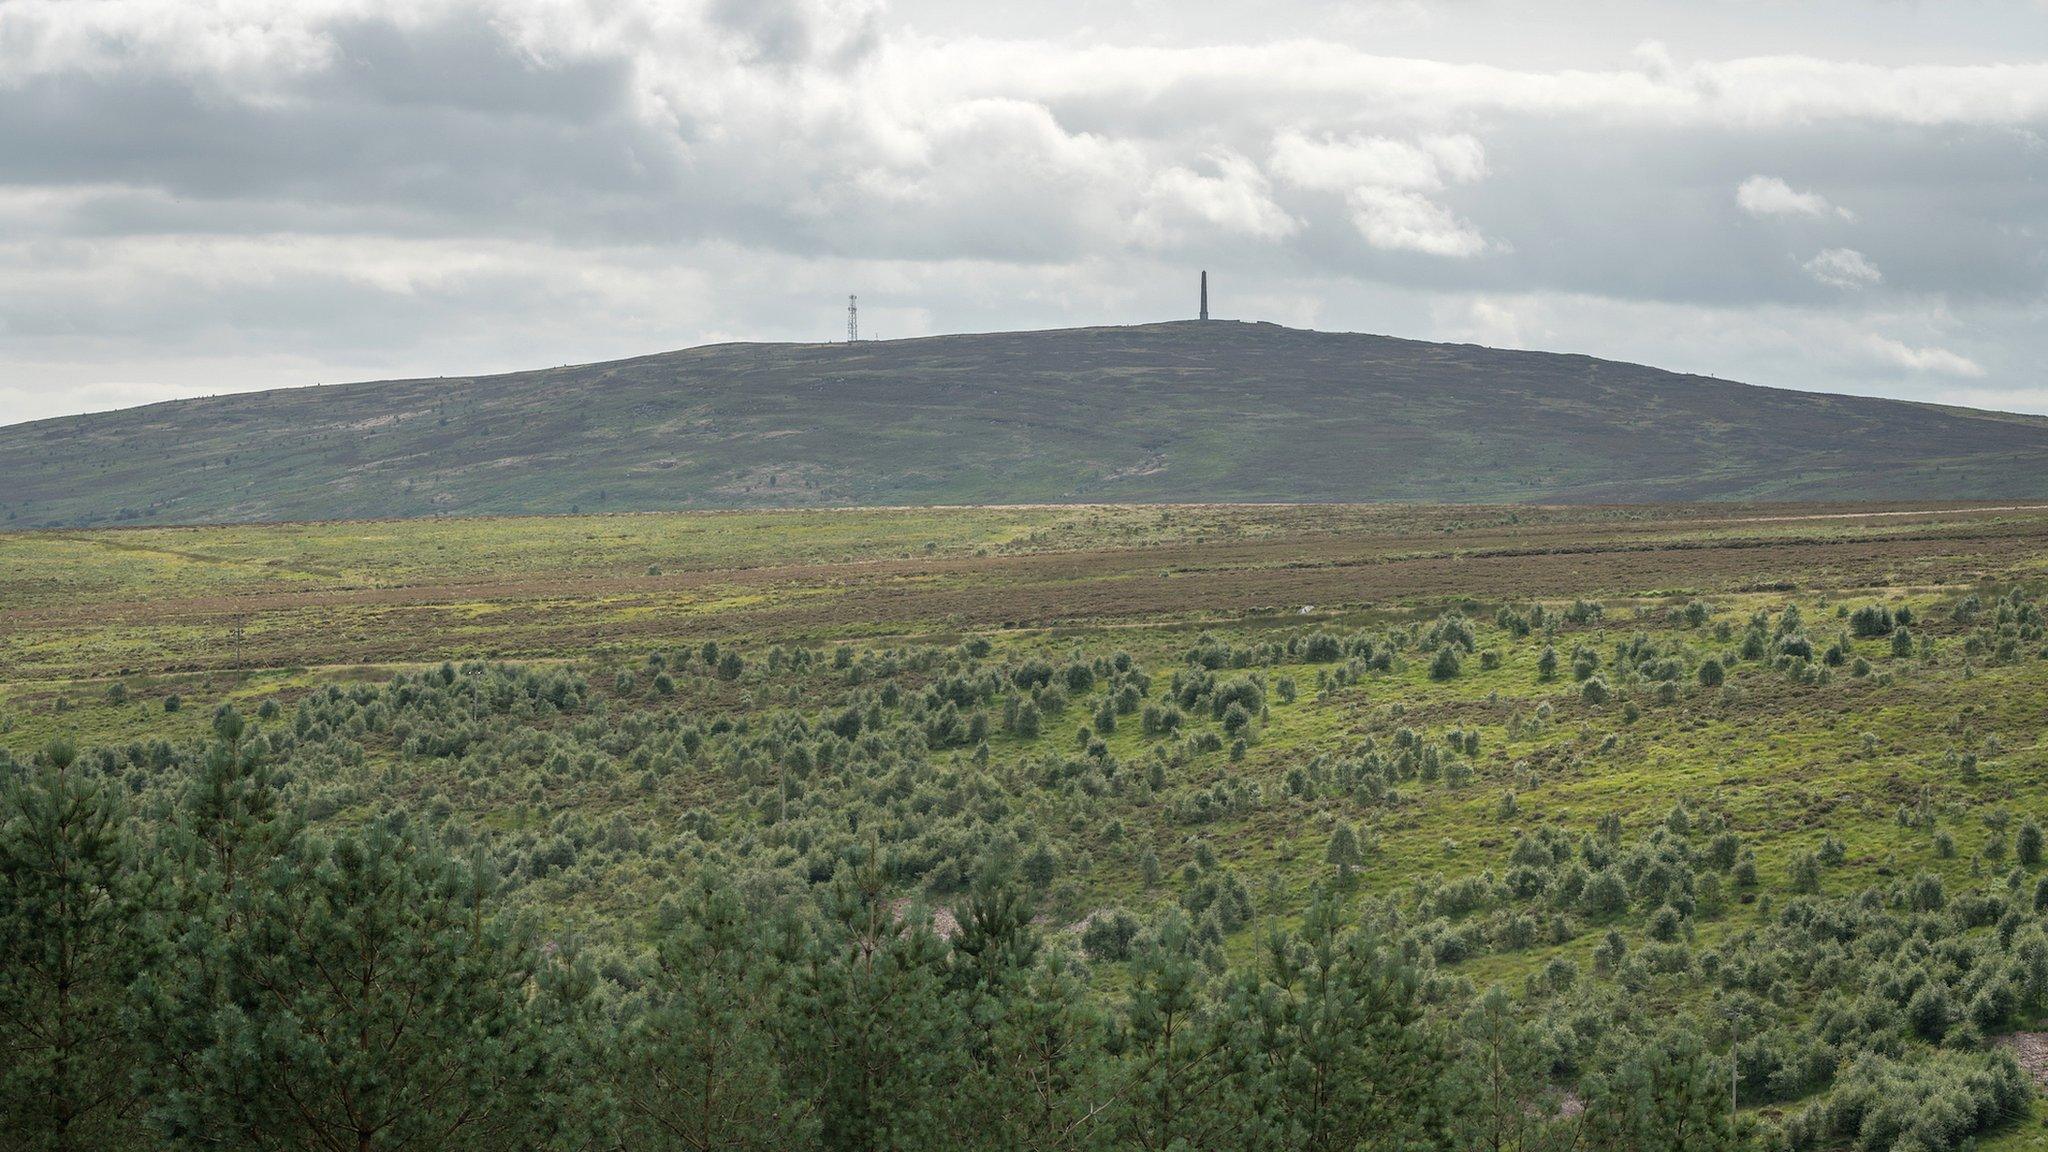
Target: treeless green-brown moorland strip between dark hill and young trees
93	604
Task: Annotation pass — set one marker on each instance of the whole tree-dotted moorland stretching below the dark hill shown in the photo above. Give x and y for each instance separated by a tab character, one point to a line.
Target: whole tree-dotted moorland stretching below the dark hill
1041	827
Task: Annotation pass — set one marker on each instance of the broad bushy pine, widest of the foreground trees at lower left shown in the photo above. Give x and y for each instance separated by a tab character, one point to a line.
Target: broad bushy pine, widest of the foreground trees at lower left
370	1001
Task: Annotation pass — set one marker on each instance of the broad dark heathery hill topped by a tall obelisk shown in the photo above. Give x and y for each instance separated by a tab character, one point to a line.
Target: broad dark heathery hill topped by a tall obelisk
1181	411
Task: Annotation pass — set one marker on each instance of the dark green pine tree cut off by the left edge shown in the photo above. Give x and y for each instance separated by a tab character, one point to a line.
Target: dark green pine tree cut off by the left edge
71	944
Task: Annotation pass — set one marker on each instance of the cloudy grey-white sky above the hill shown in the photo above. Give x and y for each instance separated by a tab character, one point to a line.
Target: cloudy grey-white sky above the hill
220	196
